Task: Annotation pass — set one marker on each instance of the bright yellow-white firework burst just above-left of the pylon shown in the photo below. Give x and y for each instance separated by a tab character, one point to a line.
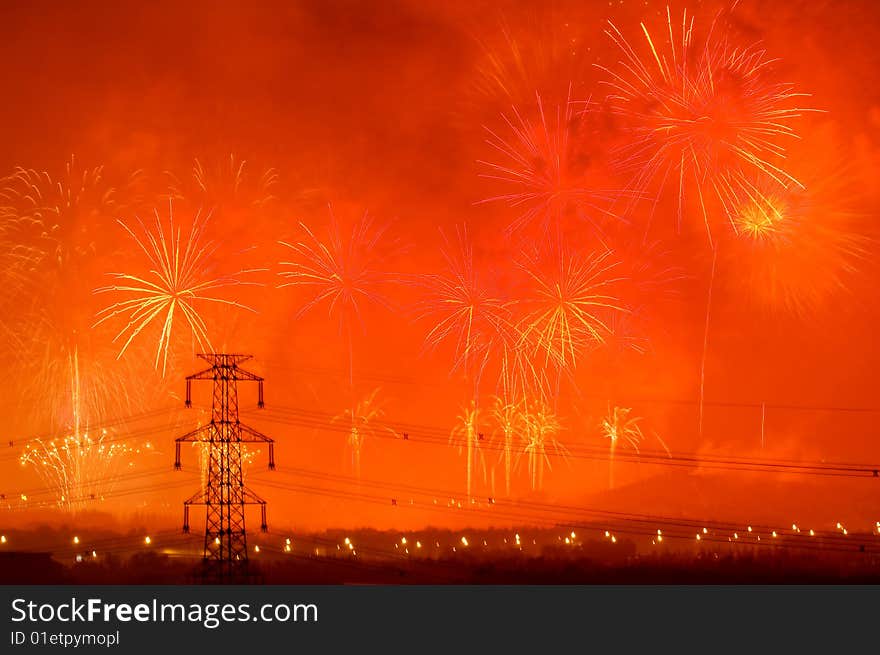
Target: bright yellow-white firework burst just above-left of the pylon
177	281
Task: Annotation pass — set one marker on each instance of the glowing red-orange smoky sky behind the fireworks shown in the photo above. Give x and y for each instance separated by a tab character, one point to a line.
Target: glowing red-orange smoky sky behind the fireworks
385	107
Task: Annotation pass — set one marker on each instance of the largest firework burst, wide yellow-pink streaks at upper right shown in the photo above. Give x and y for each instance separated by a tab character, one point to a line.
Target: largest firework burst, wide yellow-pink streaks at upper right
706	112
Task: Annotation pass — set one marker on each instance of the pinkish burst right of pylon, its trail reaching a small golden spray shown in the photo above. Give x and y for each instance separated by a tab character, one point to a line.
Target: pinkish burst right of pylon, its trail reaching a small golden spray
344	272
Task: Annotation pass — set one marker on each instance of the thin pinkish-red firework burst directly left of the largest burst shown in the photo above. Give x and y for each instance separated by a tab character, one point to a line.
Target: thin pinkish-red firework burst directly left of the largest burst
542	164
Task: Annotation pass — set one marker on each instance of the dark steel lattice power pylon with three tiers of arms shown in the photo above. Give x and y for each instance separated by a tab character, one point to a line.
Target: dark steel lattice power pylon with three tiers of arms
225	494
